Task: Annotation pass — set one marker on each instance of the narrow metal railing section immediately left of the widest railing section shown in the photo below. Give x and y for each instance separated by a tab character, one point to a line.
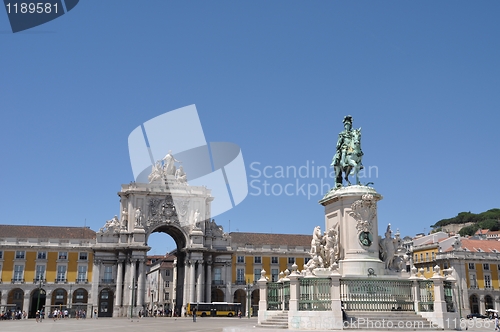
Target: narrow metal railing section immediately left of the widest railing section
315	294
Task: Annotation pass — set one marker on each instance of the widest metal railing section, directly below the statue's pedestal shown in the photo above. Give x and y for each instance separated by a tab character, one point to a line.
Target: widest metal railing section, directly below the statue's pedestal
376	295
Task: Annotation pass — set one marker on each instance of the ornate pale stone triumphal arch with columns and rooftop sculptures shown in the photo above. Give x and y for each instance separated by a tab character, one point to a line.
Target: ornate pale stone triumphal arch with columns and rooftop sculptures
166	204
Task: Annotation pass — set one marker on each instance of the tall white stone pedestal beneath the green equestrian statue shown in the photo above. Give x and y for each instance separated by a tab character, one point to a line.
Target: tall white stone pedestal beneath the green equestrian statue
352	211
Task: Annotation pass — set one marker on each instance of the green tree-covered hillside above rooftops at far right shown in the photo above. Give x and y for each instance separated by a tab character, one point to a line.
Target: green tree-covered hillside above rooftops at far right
485	220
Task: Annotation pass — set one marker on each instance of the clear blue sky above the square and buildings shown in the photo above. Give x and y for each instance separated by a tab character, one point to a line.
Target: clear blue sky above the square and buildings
422	79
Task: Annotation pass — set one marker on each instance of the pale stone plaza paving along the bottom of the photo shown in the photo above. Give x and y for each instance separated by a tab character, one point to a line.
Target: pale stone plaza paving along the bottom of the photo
176	324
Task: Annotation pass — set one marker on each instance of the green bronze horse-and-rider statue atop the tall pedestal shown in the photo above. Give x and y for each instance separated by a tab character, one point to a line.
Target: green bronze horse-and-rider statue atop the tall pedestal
348	153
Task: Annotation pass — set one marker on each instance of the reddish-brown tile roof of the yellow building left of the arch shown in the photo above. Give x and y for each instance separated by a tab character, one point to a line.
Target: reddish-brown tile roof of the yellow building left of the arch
45	232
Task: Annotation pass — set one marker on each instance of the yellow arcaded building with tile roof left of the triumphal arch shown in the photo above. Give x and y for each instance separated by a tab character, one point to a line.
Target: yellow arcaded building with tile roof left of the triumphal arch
45	266
